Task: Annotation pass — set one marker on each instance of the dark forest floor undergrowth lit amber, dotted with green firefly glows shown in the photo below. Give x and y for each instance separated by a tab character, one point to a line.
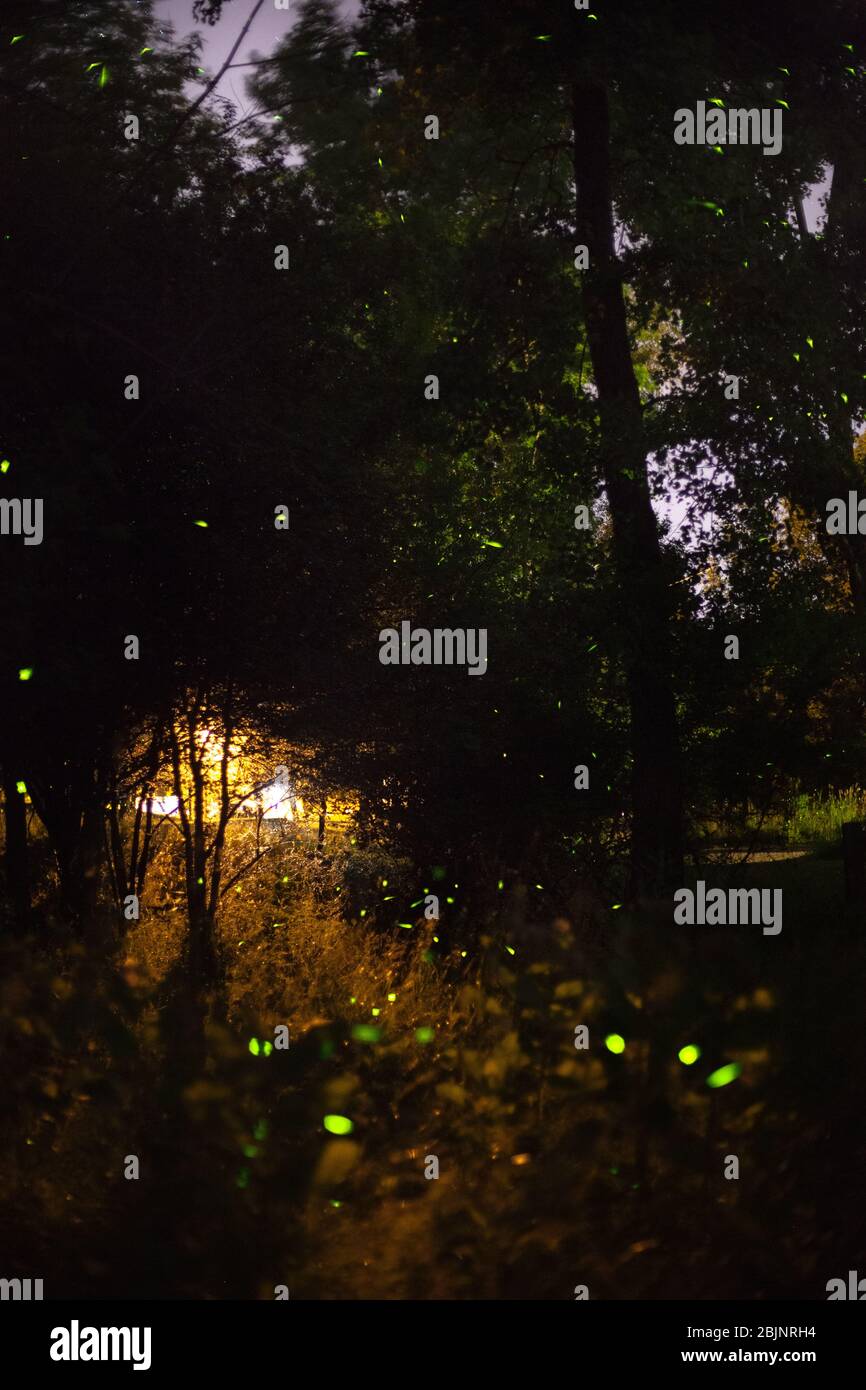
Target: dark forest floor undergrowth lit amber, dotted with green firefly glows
558	1167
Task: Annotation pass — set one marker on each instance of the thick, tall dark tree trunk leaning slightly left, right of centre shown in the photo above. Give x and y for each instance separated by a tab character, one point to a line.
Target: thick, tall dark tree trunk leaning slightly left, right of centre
657	787
